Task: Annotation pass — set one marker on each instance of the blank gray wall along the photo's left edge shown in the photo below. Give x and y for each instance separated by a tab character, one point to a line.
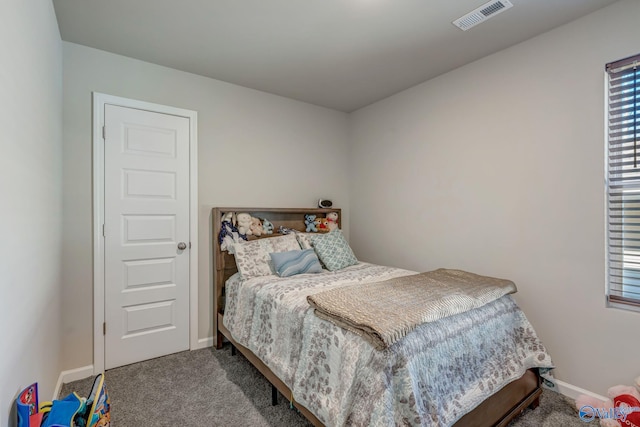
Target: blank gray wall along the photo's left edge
31	189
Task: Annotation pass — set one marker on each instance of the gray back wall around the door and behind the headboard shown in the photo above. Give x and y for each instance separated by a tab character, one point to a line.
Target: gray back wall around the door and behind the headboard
254	149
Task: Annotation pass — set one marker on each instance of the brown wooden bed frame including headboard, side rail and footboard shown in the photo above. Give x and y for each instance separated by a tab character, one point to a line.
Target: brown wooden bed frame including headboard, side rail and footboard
497	410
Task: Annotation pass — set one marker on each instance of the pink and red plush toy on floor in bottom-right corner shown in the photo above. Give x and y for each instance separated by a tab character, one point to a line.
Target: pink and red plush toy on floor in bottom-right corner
621	408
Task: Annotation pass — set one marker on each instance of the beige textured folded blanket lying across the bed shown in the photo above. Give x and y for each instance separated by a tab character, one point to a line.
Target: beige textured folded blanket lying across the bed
384	312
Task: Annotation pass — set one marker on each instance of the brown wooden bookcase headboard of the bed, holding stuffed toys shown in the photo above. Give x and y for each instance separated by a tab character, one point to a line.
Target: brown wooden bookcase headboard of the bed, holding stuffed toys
224	264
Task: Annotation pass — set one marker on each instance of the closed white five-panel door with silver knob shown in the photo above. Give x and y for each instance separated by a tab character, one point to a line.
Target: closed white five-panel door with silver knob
146	187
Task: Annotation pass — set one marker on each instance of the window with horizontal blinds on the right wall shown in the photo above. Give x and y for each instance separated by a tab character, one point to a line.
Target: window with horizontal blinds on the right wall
623	182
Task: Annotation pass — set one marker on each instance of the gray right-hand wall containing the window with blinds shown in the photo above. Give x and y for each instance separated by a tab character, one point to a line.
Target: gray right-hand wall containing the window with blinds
498	168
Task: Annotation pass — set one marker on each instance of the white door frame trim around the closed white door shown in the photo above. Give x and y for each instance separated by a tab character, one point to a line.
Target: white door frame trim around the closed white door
99	101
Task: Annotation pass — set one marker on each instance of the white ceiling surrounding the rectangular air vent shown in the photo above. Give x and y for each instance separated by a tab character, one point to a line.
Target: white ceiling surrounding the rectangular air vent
341	54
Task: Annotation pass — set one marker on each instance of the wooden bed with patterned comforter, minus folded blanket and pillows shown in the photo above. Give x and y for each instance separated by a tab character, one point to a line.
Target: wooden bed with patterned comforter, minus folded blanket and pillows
335	377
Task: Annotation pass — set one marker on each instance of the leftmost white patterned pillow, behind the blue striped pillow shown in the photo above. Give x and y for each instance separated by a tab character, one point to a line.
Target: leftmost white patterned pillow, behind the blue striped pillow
252	258
